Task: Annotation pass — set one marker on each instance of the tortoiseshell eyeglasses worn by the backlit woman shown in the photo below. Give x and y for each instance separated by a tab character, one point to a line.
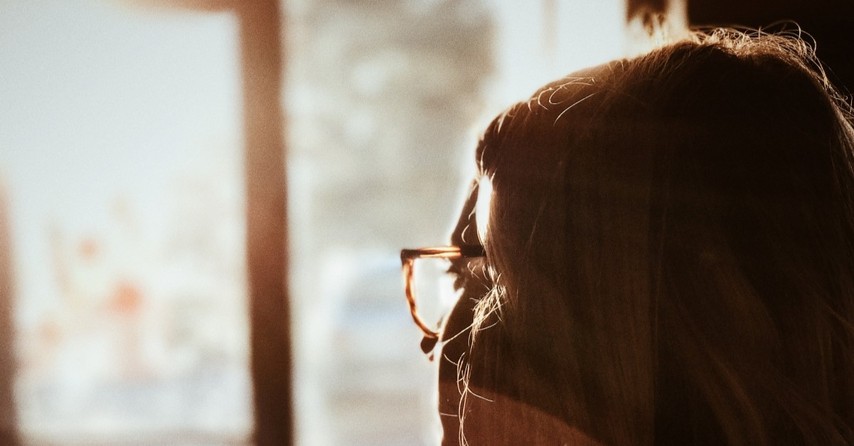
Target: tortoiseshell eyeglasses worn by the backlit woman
428	304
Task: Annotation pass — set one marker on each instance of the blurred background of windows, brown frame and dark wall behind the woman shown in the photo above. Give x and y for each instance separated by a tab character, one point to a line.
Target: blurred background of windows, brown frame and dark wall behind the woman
202	202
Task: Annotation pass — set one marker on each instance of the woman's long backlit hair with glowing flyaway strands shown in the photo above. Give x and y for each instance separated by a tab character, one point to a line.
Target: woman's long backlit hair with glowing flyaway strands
672	243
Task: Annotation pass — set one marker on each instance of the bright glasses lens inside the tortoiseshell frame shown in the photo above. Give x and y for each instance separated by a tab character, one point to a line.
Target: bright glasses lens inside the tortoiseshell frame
434	291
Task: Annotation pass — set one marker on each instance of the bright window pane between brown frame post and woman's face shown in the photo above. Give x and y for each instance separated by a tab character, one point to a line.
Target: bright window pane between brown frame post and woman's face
384	103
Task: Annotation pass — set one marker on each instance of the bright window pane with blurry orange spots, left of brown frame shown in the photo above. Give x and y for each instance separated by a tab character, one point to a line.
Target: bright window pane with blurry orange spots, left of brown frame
121	157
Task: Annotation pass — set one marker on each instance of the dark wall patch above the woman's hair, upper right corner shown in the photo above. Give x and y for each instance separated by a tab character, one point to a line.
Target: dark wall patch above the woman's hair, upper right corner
829	22
